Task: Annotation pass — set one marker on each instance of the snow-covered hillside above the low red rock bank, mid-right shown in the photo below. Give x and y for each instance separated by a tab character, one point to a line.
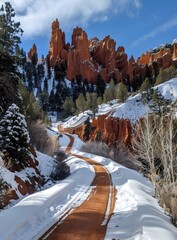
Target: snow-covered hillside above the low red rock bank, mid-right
133	109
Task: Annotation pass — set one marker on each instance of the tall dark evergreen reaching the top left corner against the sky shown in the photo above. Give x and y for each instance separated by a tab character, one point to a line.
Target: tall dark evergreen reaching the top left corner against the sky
9	57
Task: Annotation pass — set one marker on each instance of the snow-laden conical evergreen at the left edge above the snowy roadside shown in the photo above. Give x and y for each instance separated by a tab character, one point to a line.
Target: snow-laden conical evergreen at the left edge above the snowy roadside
14	137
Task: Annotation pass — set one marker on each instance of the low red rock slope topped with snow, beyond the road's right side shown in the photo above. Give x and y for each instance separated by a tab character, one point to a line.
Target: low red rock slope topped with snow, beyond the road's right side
115	123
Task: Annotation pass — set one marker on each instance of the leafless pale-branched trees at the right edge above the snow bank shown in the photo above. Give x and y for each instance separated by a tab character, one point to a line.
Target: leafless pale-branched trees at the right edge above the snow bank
156	150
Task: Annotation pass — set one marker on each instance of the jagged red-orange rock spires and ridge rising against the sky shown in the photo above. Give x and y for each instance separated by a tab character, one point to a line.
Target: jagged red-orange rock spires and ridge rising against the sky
90	57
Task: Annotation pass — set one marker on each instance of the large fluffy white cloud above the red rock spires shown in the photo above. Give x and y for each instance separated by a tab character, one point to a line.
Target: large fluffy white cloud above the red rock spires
36	16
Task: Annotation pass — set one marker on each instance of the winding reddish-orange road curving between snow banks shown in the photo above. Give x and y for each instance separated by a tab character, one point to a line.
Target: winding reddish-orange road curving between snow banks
87	222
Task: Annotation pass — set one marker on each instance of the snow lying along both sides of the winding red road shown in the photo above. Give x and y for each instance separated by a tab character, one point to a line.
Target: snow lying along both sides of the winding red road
137	215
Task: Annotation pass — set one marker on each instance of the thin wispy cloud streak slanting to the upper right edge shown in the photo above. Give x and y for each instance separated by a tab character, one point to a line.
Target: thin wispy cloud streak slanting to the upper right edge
162	28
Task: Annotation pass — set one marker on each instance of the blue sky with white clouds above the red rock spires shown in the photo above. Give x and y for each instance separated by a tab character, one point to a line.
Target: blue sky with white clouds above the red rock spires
138	25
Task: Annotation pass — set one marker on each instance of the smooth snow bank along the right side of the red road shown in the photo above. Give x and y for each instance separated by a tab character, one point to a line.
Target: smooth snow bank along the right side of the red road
137	215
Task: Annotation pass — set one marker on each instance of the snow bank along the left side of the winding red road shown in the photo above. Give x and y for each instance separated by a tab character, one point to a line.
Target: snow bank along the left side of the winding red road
35	214
